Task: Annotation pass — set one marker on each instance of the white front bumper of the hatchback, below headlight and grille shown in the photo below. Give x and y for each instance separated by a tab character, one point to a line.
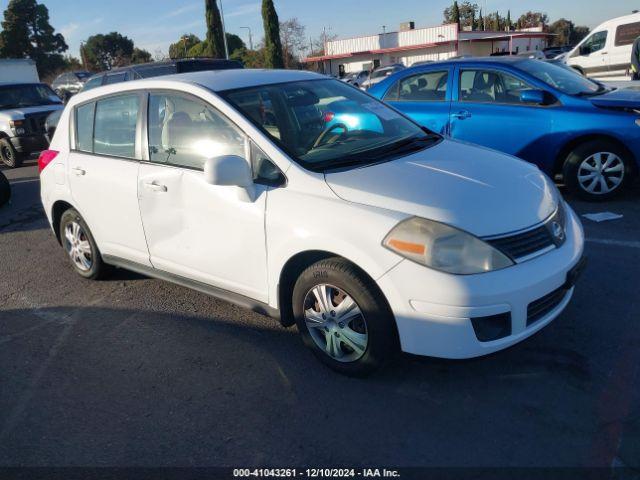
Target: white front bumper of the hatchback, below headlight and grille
434	310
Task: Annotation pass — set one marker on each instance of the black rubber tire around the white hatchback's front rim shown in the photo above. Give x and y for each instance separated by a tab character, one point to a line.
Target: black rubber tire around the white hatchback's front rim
379	324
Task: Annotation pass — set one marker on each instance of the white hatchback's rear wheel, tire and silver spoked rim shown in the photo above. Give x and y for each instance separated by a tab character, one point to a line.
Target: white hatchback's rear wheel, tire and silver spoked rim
80	246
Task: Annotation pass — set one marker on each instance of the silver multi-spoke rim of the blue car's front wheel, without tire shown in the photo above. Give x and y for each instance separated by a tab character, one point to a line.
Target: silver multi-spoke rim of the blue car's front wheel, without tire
601	173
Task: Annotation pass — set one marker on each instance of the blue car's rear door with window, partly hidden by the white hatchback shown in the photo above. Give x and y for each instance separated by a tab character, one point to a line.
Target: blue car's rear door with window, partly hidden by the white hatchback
425	97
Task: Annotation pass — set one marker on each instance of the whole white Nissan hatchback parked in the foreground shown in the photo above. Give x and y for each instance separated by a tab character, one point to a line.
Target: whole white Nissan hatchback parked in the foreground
304	198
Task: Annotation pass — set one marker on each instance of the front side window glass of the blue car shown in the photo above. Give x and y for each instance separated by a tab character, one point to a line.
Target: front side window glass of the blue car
490	86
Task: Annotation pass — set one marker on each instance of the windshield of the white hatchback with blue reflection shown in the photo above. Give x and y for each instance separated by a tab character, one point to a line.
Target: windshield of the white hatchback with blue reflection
325	124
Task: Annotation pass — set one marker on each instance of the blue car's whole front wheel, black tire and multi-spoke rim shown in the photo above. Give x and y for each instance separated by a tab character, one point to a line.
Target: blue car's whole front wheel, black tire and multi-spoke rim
597	170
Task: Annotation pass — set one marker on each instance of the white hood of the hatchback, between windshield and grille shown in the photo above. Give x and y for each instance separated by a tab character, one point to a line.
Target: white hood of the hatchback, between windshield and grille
472	188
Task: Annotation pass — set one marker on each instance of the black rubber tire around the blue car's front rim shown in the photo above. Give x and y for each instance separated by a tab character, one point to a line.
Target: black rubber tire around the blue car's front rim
576	164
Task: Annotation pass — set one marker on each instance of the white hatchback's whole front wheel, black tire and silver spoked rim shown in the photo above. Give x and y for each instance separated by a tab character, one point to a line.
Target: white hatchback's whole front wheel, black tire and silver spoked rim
342	318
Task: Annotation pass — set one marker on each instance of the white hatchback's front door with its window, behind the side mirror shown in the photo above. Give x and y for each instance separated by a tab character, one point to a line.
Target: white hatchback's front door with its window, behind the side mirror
199	231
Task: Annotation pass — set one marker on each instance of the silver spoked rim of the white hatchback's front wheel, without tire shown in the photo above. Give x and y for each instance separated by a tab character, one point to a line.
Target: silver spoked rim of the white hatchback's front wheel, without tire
336	323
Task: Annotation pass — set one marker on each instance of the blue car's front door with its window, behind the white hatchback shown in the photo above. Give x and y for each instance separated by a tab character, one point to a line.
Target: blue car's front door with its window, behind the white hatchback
487	110
